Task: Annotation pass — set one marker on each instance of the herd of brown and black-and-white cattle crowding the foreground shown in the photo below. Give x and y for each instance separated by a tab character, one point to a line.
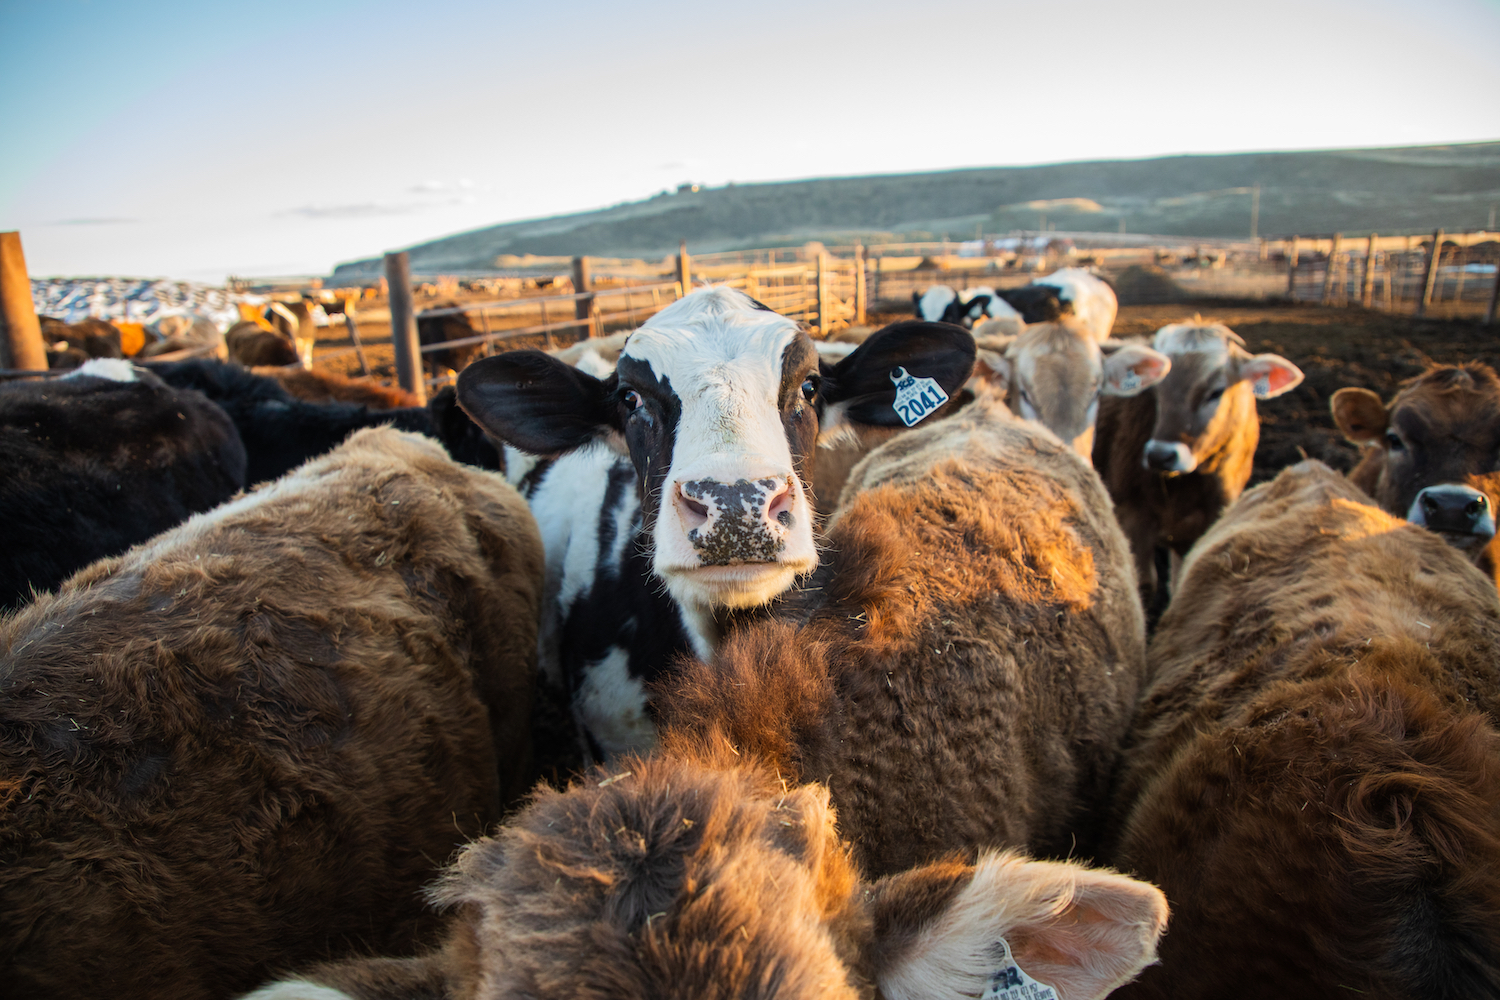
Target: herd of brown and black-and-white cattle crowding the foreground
692	665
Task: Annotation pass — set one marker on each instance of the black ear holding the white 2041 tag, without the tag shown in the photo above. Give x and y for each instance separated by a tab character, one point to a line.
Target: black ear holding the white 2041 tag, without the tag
940	352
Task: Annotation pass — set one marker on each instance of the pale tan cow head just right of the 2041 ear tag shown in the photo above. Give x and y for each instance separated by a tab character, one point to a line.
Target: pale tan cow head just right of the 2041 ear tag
1057	373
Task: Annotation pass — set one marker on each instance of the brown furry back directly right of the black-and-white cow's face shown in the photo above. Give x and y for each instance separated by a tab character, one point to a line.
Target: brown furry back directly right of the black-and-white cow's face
970	656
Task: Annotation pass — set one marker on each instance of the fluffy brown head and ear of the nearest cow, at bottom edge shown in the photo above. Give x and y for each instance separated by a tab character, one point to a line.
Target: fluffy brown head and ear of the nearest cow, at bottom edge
670	879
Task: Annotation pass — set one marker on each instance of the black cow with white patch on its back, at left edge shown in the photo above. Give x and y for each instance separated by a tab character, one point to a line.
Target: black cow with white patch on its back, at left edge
98	461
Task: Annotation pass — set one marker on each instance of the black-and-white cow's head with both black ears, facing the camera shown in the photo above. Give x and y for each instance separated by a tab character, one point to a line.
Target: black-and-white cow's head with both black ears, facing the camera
718	401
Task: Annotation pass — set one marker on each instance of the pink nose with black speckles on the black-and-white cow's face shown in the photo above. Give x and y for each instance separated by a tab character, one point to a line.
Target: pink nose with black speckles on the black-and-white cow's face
746	521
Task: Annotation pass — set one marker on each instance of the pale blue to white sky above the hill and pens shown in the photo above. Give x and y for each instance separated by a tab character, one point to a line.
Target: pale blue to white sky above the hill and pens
188	140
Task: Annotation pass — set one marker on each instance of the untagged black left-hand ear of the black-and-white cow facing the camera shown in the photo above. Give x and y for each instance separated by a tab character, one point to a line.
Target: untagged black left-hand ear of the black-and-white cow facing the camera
536	403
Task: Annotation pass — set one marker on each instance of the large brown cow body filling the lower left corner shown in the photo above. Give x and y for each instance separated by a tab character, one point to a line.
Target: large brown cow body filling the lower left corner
250	741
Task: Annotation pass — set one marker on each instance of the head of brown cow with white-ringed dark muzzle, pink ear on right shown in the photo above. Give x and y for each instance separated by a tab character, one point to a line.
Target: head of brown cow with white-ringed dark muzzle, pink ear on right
1210	397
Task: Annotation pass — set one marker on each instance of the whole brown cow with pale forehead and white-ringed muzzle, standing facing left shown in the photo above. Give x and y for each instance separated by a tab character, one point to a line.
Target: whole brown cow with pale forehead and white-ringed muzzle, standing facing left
1174	458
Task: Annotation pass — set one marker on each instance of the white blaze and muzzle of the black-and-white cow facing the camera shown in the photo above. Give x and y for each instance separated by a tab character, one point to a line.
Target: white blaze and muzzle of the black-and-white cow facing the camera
734	525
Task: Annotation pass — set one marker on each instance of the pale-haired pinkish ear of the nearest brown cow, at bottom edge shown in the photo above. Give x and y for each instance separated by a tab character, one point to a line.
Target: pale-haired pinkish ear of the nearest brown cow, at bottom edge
949	930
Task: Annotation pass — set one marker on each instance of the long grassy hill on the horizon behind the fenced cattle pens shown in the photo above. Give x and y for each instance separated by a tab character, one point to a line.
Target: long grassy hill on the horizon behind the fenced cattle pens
1387	191
